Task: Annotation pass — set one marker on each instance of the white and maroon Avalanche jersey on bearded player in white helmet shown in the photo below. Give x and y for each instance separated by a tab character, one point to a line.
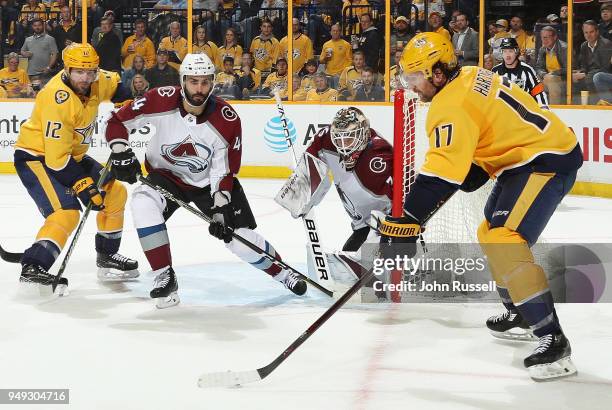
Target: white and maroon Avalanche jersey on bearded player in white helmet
194	151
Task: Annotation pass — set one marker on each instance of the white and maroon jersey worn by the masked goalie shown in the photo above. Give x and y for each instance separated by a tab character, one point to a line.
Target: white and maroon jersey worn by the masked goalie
368	186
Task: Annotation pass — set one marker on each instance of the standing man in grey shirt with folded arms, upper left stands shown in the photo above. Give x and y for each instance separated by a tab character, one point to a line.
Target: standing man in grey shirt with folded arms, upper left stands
41	51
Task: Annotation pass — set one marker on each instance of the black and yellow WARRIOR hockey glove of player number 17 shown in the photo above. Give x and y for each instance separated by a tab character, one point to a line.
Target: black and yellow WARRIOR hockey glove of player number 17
398	236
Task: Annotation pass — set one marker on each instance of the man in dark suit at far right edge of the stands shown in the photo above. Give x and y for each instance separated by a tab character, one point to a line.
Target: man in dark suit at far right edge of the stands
595	56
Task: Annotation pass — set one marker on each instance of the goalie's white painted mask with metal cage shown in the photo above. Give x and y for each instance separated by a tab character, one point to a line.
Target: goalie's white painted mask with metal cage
350	134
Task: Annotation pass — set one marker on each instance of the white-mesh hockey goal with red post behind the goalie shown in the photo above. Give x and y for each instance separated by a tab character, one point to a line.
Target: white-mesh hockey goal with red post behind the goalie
454	224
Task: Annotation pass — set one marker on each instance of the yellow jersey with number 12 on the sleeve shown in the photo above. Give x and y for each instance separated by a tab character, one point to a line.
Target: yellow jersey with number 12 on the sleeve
62	124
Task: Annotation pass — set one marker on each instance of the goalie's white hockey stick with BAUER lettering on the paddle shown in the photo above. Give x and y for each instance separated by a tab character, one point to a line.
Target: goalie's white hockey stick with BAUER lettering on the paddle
317	259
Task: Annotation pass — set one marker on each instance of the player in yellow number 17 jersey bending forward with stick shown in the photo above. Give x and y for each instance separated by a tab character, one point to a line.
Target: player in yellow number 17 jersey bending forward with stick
482	126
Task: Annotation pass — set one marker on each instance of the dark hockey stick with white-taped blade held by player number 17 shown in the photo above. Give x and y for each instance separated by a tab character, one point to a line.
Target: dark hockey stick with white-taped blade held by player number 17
230	378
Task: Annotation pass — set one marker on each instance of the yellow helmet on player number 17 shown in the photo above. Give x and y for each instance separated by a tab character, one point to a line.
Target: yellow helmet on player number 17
426	50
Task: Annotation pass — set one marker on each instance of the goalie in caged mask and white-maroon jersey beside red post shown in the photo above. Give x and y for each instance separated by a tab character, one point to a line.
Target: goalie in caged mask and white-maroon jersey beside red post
361	163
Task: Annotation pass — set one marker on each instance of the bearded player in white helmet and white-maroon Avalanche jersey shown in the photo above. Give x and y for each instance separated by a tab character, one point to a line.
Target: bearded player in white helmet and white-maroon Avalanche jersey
195	155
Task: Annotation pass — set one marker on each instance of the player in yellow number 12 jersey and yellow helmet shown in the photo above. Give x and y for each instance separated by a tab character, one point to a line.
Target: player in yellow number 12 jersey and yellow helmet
52	162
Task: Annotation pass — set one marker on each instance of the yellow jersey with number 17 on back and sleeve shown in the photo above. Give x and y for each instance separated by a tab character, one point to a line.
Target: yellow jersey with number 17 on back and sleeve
483	118
